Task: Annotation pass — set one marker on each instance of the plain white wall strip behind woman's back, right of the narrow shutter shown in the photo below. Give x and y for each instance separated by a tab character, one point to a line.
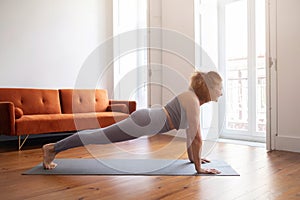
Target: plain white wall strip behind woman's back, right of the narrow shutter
178	55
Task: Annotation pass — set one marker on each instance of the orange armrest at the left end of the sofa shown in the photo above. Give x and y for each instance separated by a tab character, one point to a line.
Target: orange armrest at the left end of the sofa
7	118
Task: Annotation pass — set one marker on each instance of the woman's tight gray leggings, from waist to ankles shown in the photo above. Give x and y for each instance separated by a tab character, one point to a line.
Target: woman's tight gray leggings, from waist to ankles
143	122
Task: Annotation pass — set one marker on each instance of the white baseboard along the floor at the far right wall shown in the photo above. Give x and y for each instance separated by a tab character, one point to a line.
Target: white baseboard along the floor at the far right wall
287	144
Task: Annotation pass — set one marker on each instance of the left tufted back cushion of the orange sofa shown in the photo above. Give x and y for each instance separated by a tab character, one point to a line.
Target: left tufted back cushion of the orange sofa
32	101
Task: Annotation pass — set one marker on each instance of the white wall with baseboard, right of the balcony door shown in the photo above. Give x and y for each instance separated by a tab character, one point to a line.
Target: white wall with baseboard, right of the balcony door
285	96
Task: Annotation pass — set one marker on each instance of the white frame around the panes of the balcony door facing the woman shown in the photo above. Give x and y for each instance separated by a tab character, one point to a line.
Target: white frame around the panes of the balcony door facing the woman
251	133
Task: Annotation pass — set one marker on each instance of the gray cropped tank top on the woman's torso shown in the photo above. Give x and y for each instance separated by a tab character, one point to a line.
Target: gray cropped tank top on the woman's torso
177	113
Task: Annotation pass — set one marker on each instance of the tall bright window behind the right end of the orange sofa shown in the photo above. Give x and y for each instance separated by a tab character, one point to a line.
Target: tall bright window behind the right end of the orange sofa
130	64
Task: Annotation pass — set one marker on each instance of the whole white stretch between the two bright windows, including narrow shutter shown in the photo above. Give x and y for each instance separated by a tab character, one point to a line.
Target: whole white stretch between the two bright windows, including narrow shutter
169	60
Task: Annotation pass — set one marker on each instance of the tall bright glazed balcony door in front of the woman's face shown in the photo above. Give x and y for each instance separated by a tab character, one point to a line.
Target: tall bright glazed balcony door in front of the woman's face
243	34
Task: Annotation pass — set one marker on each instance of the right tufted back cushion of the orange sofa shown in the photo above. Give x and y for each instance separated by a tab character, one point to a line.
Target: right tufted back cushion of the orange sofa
83	100
